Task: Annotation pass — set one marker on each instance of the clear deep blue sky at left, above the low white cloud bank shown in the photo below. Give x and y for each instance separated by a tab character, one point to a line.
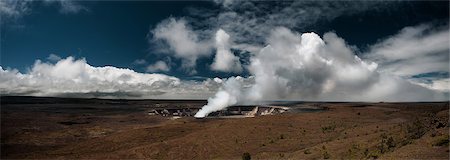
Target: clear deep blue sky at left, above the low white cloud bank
107	33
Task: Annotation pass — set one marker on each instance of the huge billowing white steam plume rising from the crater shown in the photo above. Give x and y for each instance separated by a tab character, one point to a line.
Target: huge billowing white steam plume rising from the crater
307	67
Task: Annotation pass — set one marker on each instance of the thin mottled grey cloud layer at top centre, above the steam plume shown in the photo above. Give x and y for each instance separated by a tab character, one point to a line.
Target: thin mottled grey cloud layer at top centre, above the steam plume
249	22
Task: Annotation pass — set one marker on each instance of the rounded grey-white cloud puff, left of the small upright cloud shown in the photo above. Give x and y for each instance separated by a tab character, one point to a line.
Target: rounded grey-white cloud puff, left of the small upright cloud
182	41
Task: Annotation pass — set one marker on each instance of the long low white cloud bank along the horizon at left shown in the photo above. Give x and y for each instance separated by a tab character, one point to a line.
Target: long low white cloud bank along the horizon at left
74	77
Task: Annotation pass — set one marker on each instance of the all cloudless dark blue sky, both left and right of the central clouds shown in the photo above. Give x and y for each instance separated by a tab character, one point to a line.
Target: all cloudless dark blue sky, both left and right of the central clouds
116	33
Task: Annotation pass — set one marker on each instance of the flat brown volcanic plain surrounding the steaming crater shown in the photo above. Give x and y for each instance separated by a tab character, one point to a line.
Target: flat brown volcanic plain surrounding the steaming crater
50	128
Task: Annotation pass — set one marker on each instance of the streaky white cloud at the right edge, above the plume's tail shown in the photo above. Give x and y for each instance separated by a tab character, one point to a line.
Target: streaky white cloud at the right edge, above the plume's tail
415	51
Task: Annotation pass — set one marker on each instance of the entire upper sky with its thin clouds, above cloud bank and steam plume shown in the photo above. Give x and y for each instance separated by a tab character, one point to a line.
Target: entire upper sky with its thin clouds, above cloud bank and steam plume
133	34
